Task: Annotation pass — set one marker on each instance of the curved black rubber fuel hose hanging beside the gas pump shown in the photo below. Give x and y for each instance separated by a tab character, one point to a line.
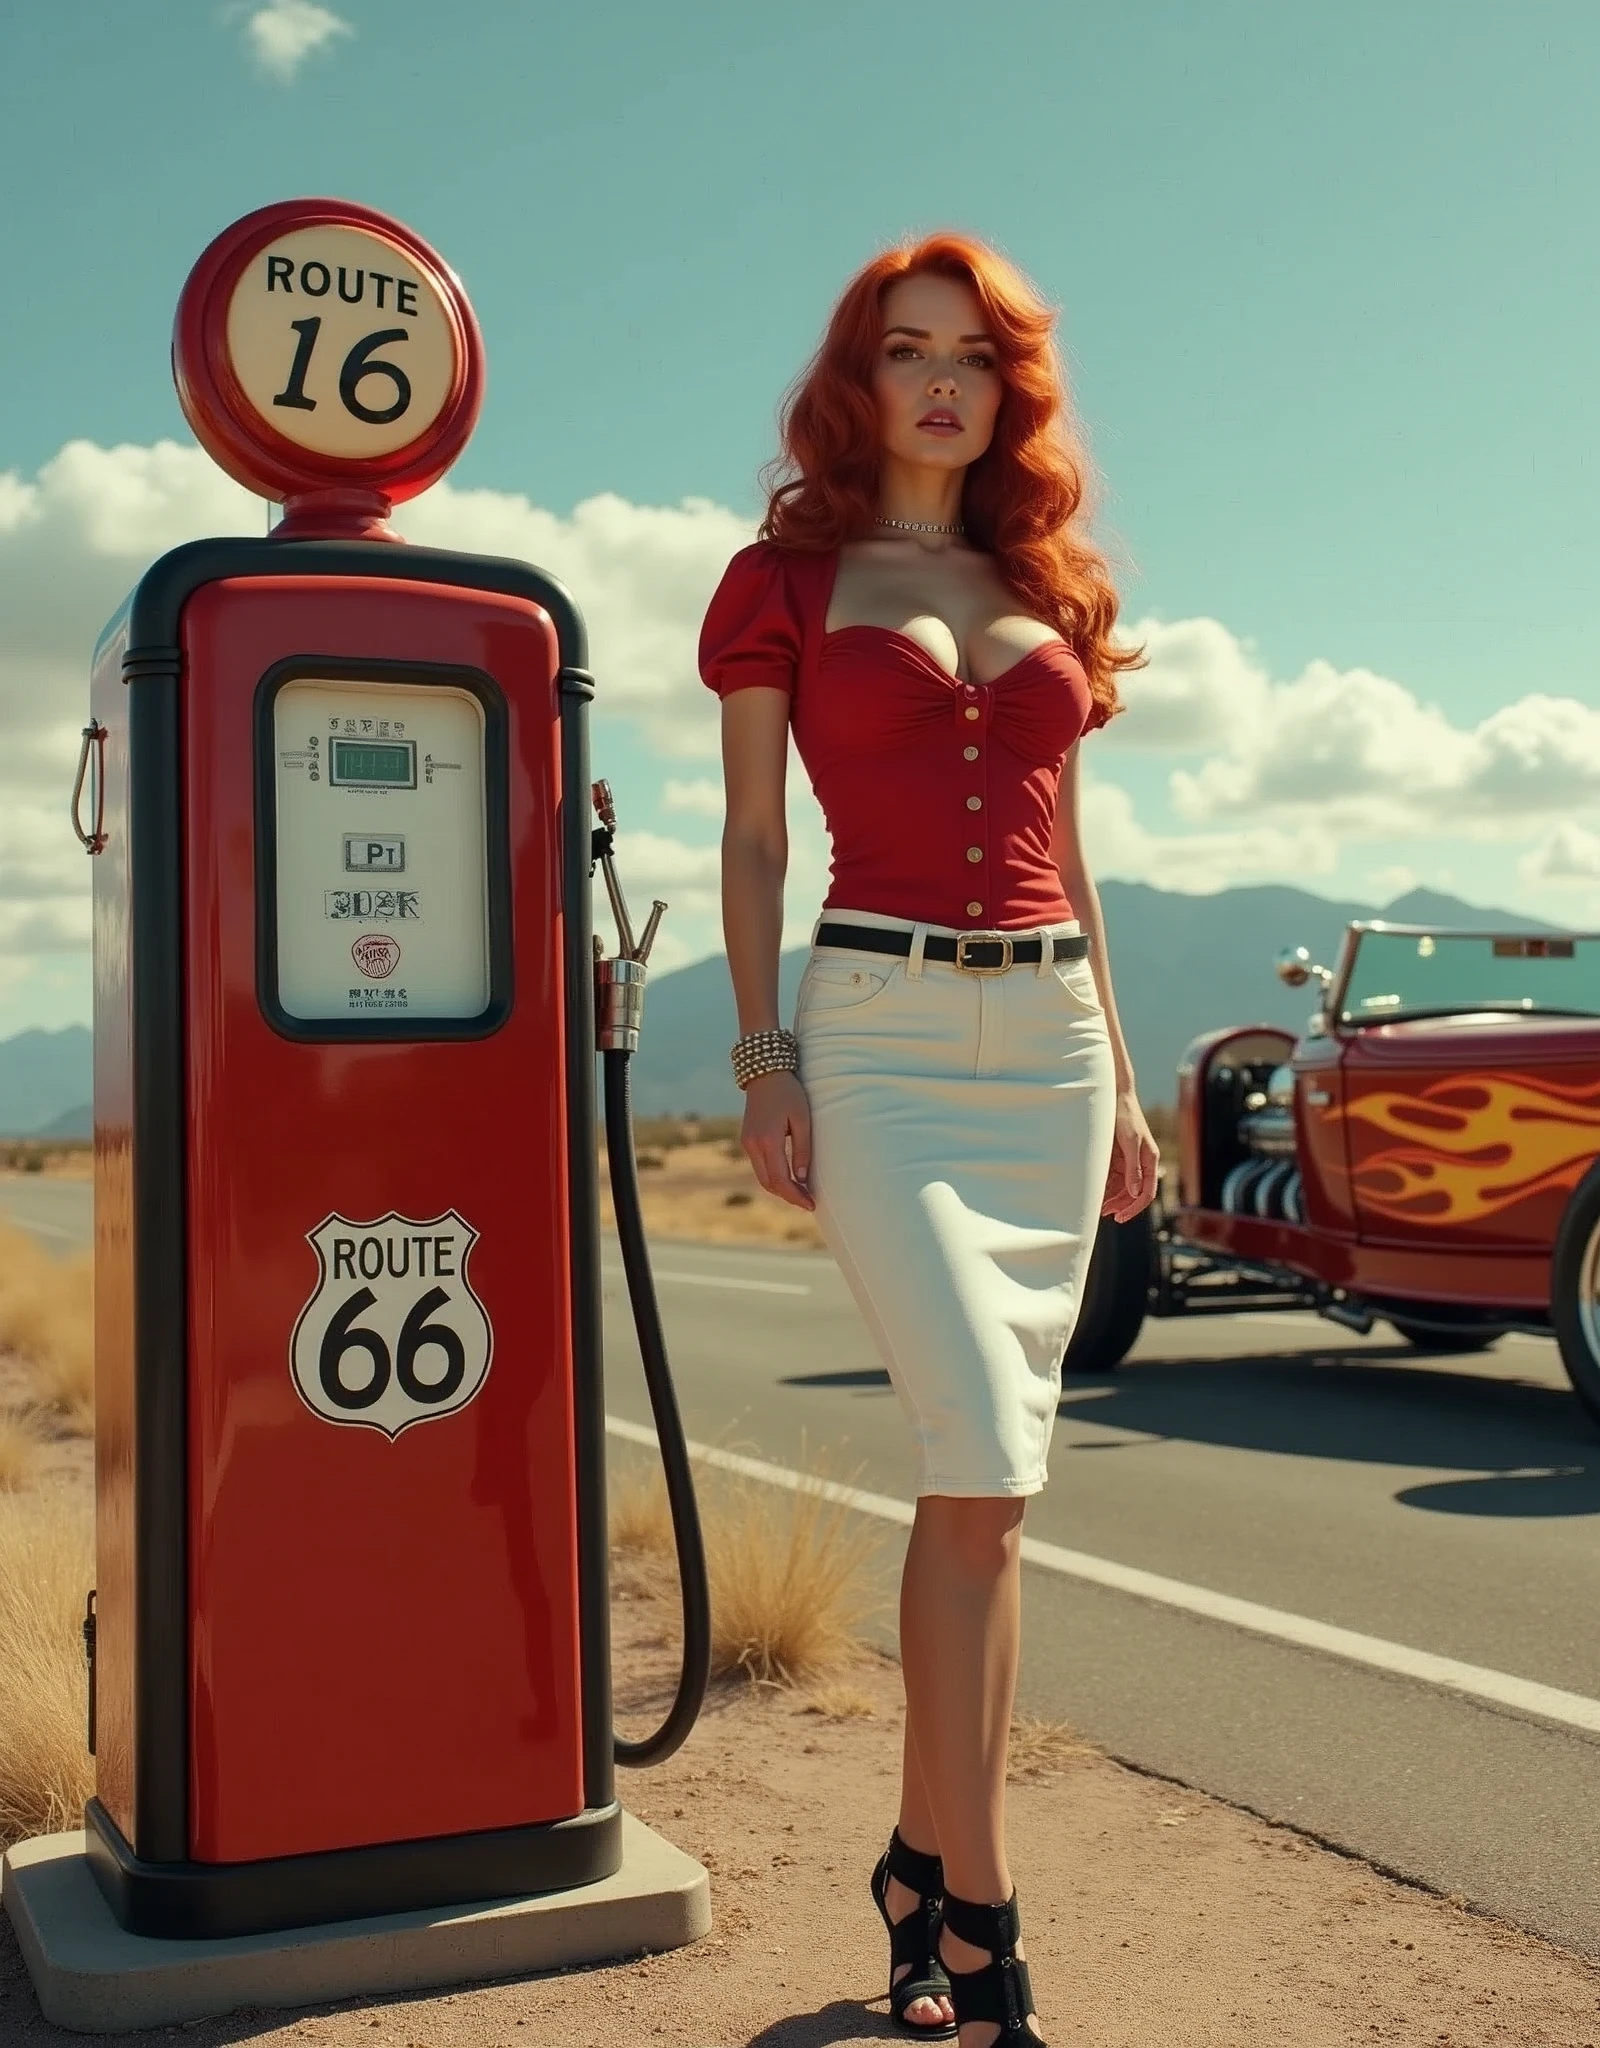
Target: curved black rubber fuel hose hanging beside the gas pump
696	1674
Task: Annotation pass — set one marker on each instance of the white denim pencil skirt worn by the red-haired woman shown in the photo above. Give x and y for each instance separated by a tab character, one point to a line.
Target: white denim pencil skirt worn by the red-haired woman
962	1134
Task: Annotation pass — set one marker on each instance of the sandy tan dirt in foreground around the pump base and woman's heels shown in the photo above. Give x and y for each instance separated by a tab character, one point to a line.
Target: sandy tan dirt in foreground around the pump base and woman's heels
1154	1918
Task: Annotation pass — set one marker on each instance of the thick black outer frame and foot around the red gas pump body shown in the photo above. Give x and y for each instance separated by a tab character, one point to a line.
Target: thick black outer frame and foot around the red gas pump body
151	1883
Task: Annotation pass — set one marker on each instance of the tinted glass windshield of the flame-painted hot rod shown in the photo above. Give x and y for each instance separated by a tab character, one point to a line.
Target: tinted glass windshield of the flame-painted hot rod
1435	974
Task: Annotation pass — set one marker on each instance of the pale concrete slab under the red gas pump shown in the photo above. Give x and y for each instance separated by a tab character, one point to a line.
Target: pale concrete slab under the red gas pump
97	1979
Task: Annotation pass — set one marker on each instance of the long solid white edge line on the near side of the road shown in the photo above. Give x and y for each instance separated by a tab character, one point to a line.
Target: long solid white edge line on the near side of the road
1478	1682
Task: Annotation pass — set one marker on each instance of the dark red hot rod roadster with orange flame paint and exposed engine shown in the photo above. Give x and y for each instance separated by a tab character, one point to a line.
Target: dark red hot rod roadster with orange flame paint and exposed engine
1427	1152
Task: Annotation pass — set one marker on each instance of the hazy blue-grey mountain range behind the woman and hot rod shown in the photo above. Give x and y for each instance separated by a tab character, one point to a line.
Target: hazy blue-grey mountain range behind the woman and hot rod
1183	966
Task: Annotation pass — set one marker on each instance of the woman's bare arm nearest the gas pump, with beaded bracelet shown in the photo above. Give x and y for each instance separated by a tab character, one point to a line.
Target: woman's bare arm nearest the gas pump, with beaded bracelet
777	1121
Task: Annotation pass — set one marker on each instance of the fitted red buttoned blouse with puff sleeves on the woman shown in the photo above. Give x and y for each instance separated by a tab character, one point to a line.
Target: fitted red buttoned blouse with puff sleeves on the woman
939	794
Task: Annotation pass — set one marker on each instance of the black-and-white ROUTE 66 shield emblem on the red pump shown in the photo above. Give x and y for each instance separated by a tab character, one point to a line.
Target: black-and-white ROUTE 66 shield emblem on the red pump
394	1332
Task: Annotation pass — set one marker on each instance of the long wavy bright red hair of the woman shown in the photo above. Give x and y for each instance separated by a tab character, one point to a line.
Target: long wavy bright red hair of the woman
1025	501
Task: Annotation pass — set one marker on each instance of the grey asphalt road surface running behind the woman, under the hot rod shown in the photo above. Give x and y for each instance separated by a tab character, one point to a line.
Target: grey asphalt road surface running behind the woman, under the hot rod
1443	1506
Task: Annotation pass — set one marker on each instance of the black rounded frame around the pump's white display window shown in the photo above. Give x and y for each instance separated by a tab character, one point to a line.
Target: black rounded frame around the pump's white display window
497	841
